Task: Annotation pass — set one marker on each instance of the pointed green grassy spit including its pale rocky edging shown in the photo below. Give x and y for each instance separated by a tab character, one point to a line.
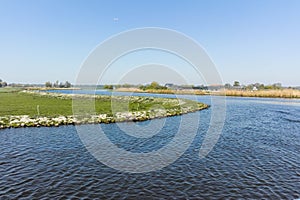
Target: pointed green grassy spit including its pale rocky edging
35	109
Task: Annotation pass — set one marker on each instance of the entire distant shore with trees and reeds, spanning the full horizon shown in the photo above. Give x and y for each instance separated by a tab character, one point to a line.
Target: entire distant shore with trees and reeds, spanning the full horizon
275	90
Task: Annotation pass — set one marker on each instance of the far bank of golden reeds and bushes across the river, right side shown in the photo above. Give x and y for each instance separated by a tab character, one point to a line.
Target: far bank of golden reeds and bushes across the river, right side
251	90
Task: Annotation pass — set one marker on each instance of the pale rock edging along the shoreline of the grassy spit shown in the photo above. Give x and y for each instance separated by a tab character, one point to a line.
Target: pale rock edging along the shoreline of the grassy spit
19	121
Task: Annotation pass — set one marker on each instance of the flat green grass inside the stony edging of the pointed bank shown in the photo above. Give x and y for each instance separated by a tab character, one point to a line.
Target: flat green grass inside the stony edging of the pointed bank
19	103
